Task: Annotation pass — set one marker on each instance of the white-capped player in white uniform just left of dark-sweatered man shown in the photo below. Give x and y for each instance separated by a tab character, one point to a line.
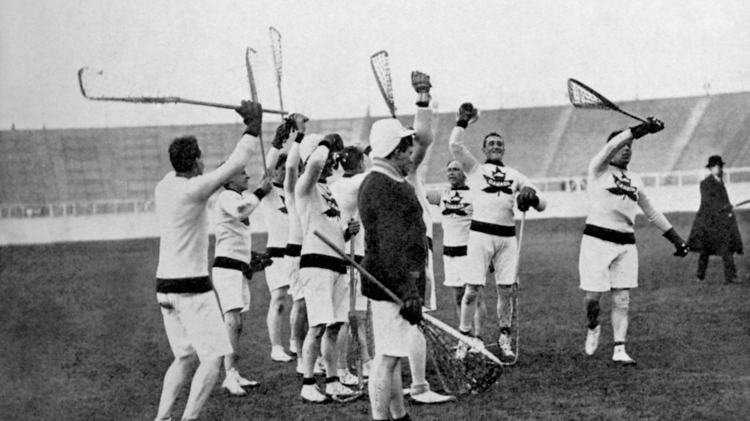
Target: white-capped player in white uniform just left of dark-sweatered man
322	271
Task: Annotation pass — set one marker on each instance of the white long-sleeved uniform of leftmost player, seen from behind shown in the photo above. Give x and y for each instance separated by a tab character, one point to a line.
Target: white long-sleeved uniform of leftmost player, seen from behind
189	307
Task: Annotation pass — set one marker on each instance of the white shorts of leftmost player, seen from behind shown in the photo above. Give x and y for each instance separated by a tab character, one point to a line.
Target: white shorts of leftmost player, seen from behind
194	325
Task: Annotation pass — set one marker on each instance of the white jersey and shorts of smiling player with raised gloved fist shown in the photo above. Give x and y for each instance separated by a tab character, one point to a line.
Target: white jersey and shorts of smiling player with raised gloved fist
492	236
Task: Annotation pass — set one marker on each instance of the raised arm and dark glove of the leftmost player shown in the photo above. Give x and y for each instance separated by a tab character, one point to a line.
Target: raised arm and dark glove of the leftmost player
206	185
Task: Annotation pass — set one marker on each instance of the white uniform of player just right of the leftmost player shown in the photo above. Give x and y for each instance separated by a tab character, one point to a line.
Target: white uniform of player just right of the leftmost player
233	248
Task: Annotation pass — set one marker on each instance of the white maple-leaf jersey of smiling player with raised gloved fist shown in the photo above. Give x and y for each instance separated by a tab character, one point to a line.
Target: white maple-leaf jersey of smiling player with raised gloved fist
493	186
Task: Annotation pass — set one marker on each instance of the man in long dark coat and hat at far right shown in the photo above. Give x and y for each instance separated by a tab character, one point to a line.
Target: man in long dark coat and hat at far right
715	229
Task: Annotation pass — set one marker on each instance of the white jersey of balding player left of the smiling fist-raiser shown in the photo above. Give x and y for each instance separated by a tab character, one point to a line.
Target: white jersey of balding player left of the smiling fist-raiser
457	210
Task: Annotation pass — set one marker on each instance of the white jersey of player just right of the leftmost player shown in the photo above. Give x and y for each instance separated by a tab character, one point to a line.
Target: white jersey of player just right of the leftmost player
233	233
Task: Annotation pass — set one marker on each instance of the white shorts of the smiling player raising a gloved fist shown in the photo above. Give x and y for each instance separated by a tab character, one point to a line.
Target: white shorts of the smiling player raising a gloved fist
485	248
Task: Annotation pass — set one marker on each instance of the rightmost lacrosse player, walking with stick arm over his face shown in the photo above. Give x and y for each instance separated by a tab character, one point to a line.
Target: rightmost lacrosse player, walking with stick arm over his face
609	259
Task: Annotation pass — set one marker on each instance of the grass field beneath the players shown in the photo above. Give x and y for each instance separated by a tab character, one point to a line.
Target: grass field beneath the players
81	338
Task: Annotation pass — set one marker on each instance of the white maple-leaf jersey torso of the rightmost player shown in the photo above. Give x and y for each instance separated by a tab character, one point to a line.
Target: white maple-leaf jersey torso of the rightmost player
616	194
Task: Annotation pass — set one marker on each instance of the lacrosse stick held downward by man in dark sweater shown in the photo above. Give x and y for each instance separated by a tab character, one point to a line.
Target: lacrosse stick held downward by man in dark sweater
473	374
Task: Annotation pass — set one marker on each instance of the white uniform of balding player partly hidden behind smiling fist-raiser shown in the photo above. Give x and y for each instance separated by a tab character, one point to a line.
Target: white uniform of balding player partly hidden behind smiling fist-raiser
456	208
